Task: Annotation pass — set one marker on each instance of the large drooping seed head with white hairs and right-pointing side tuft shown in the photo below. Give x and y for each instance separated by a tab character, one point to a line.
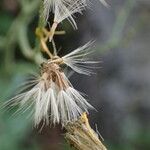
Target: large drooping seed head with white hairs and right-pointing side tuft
51	98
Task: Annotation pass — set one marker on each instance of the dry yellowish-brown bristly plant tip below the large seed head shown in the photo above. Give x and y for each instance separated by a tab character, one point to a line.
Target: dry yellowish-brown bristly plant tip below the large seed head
81	136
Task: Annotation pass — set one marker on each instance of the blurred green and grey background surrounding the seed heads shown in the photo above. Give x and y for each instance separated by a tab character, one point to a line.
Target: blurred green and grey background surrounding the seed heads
119	90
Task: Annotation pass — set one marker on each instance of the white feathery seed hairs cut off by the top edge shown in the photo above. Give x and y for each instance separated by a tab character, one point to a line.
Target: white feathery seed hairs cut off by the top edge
63	9
